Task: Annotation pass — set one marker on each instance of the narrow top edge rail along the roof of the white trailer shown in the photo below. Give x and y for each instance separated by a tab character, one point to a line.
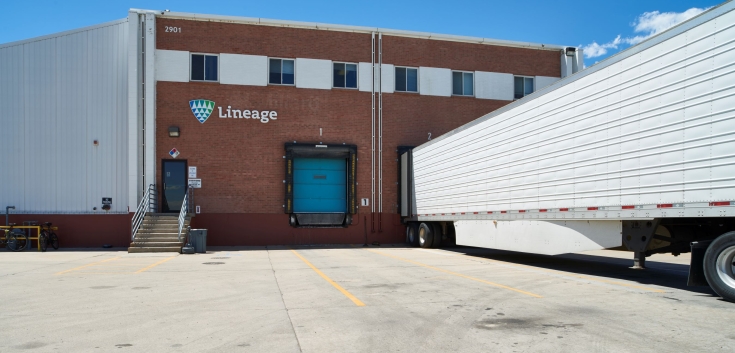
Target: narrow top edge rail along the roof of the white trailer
708	15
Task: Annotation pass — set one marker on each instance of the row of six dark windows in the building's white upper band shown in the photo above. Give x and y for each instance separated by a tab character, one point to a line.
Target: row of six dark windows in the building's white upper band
281	72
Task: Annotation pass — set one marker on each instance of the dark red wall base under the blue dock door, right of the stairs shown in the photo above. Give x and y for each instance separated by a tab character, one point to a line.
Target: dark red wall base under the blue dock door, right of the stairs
249	229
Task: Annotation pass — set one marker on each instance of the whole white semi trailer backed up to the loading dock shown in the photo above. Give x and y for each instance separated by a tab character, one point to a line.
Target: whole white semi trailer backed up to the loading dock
637	150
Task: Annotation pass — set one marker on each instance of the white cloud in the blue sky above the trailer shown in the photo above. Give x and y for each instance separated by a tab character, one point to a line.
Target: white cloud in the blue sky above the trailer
646	25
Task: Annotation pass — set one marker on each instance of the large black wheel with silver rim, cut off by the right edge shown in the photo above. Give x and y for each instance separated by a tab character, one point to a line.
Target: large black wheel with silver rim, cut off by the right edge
719	266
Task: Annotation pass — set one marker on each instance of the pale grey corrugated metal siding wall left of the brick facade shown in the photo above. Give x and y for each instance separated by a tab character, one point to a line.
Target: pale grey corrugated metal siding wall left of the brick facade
58	95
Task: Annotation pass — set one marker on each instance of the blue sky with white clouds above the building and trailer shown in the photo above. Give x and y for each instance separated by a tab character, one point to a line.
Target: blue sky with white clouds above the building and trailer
564	22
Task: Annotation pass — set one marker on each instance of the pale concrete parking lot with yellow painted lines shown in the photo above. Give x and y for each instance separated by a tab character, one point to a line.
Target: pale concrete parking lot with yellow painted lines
355	299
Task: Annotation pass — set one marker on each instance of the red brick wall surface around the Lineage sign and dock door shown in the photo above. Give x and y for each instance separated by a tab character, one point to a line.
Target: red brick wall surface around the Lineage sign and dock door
240	161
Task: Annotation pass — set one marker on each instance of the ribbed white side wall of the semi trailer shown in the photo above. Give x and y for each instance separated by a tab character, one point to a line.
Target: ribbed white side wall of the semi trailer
655	127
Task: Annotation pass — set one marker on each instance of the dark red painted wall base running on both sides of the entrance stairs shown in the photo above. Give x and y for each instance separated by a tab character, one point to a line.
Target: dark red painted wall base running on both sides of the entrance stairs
224	229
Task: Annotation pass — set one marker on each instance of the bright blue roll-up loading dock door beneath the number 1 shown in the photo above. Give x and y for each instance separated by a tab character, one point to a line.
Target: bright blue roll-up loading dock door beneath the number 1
320	185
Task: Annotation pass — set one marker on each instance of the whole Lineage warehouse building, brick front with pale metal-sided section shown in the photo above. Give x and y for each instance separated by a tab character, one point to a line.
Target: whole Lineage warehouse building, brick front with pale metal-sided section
293	128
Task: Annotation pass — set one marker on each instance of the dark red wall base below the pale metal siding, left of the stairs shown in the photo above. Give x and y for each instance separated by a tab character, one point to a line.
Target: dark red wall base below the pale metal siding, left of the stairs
83	231
